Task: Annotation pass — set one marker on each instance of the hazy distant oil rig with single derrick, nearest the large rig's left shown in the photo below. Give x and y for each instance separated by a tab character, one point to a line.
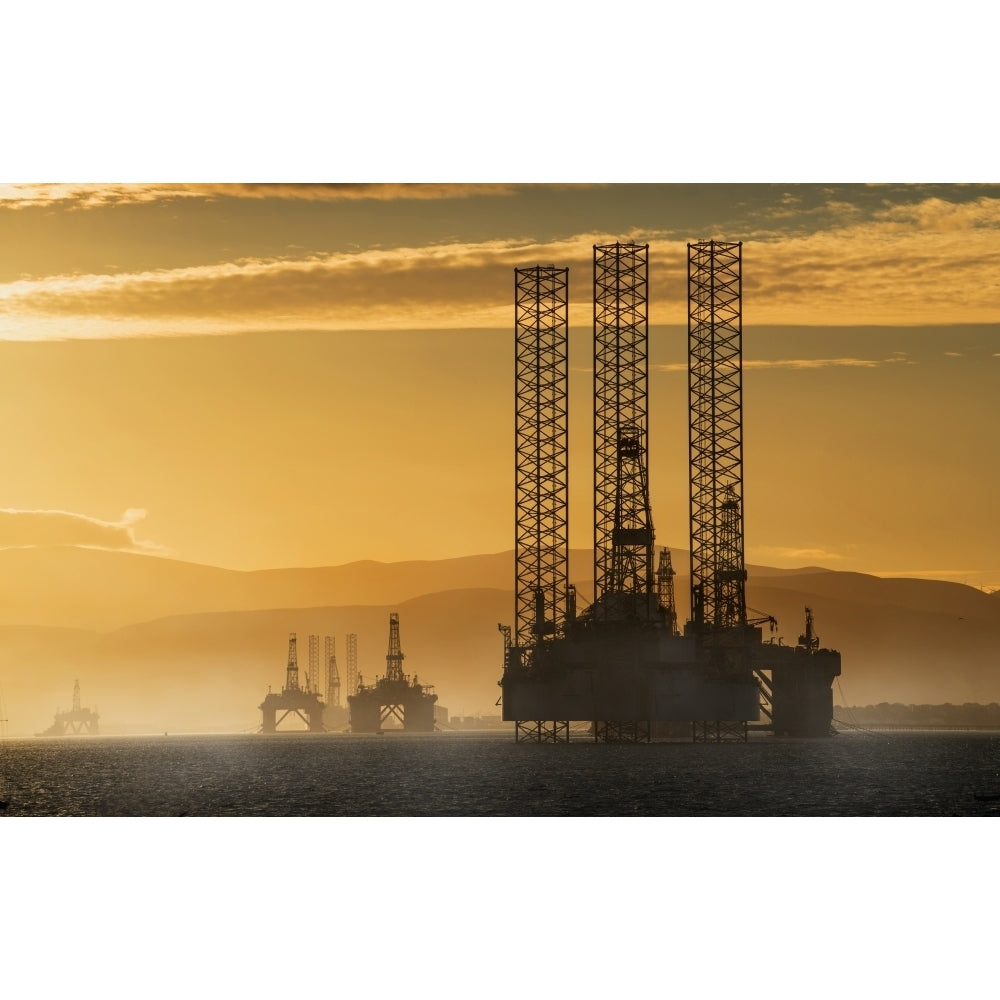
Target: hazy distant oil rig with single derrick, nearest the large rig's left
394	701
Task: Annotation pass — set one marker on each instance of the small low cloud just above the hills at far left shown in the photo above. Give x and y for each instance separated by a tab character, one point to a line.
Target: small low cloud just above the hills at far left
30	528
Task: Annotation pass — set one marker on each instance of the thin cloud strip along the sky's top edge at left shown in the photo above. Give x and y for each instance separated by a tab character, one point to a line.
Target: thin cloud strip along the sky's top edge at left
84	196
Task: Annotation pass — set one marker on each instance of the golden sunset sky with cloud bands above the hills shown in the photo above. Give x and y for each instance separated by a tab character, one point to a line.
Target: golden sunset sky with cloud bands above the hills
270	375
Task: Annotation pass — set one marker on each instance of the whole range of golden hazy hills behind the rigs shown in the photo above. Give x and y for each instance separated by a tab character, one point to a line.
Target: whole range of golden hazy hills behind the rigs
162	645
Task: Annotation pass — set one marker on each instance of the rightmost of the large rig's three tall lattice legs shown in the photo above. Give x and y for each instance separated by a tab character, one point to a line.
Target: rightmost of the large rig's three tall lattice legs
715	392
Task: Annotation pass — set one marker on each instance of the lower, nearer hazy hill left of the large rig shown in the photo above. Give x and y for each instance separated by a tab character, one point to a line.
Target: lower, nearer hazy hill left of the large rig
210	672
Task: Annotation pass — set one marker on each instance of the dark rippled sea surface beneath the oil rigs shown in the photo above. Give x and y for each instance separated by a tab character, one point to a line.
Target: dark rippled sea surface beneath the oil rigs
488	774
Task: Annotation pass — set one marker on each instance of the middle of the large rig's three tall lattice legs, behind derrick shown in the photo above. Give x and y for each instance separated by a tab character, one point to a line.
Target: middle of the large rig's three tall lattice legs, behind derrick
623	523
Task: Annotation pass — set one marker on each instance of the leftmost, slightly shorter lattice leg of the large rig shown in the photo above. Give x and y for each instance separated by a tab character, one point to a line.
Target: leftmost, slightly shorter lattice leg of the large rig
541	474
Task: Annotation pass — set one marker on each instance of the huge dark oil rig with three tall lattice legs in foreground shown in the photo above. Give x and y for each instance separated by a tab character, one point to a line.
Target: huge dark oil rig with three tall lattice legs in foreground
622	665
